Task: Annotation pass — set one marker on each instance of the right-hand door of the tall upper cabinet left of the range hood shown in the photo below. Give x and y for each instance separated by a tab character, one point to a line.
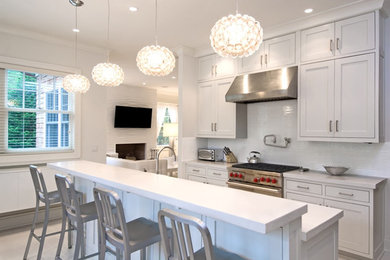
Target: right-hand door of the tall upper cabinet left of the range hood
226	111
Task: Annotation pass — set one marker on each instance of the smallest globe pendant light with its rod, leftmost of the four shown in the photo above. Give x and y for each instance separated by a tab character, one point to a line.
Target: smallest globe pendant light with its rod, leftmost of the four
76	83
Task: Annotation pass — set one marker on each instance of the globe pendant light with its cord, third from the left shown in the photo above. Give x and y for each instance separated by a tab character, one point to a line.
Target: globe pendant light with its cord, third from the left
155	60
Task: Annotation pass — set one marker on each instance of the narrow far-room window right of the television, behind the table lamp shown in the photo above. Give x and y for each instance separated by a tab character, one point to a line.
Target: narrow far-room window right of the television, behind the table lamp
166	113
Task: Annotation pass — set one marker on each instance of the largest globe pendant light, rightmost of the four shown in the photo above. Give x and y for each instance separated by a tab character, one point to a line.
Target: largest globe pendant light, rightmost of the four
236	35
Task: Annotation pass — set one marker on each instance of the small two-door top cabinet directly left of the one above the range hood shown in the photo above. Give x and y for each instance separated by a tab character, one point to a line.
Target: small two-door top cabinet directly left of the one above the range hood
215	67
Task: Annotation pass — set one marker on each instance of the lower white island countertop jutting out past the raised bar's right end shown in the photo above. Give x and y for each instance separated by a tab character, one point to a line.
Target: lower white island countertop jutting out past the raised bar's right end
317	219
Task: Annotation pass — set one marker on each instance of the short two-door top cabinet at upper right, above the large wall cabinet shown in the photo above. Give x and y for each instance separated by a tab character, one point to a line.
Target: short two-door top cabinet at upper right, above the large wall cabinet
341	38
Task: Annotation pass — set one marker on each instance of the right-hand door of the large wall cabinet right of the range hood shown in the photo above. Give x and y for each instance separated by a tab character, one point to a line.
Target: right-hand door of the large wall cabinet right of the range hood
355	97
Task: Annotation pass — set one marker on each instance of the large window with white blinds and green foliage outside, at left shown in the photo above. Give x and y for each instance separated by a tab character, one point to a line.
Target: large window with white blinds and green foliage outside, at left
37	112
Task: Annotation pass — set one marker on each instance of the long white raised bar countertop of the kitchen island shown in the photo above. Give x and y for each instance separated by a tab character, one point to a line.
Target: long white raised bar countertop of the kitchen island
248	210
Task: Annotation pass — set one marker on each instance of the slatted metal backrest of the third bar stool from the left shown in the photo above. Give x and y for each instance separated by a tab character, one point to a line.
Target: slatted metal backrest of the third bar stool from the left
111	216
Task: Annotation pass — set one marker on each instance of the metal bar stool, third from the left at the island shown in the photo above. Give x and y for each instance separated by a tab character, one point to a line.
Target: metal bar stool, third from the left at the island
126	237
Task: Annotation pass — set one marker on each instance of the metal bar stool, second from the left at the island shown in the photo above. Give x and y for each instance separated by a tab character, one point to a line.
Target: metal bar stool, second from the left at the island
76	213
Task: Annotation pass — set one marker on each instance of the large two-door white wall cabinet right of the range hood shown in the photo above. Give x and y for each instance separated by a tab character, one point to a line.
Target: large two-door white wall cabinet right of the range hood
337	100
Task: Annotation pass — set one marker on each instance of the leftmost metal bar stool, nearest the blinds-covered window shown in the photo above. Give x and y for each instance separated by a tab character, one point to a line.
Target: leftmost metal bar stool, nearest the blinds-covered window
48	198
